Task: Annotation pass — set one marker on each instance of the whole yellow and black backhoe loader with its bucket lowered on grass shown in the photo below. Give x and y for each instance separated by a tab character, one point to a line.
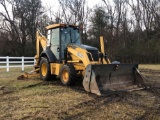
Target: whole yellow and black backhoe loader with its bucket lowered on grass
65	56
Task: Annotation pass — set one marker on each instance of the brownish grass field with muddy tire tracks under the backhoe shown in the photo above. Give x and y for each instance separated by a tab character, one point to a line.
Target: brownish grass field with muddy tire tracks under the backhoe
42	100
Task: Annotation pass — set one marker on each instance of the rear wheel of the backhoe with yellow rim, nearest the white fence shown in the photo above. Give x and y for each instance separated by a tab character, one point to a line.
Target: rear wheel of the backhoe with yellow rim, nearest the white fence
45	72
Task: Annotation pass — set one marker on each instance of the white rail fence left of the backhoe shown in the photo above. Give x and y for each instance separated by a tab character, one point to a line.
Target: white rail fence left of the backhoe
10	62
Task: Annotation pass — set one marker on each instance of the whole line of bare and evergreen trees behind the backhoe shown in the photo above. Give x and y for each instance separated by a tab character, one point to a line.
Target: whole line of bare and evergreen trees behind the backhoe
131	28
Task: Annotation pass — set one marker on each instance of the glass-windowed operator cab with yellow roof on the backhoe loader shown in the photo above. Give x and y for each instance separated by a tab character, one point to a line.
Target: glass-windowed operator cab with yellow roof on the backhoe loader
59	36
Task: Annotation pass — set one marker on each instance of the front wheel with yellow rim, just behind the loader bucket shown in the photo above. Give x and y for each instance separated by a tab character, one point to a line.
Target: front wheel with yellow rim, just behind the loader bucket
68	74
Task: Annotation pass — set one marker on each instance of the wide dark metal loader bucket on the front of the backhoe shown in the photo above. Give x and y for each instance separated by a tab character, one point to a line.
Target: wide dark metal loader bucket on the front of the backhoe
104	79
